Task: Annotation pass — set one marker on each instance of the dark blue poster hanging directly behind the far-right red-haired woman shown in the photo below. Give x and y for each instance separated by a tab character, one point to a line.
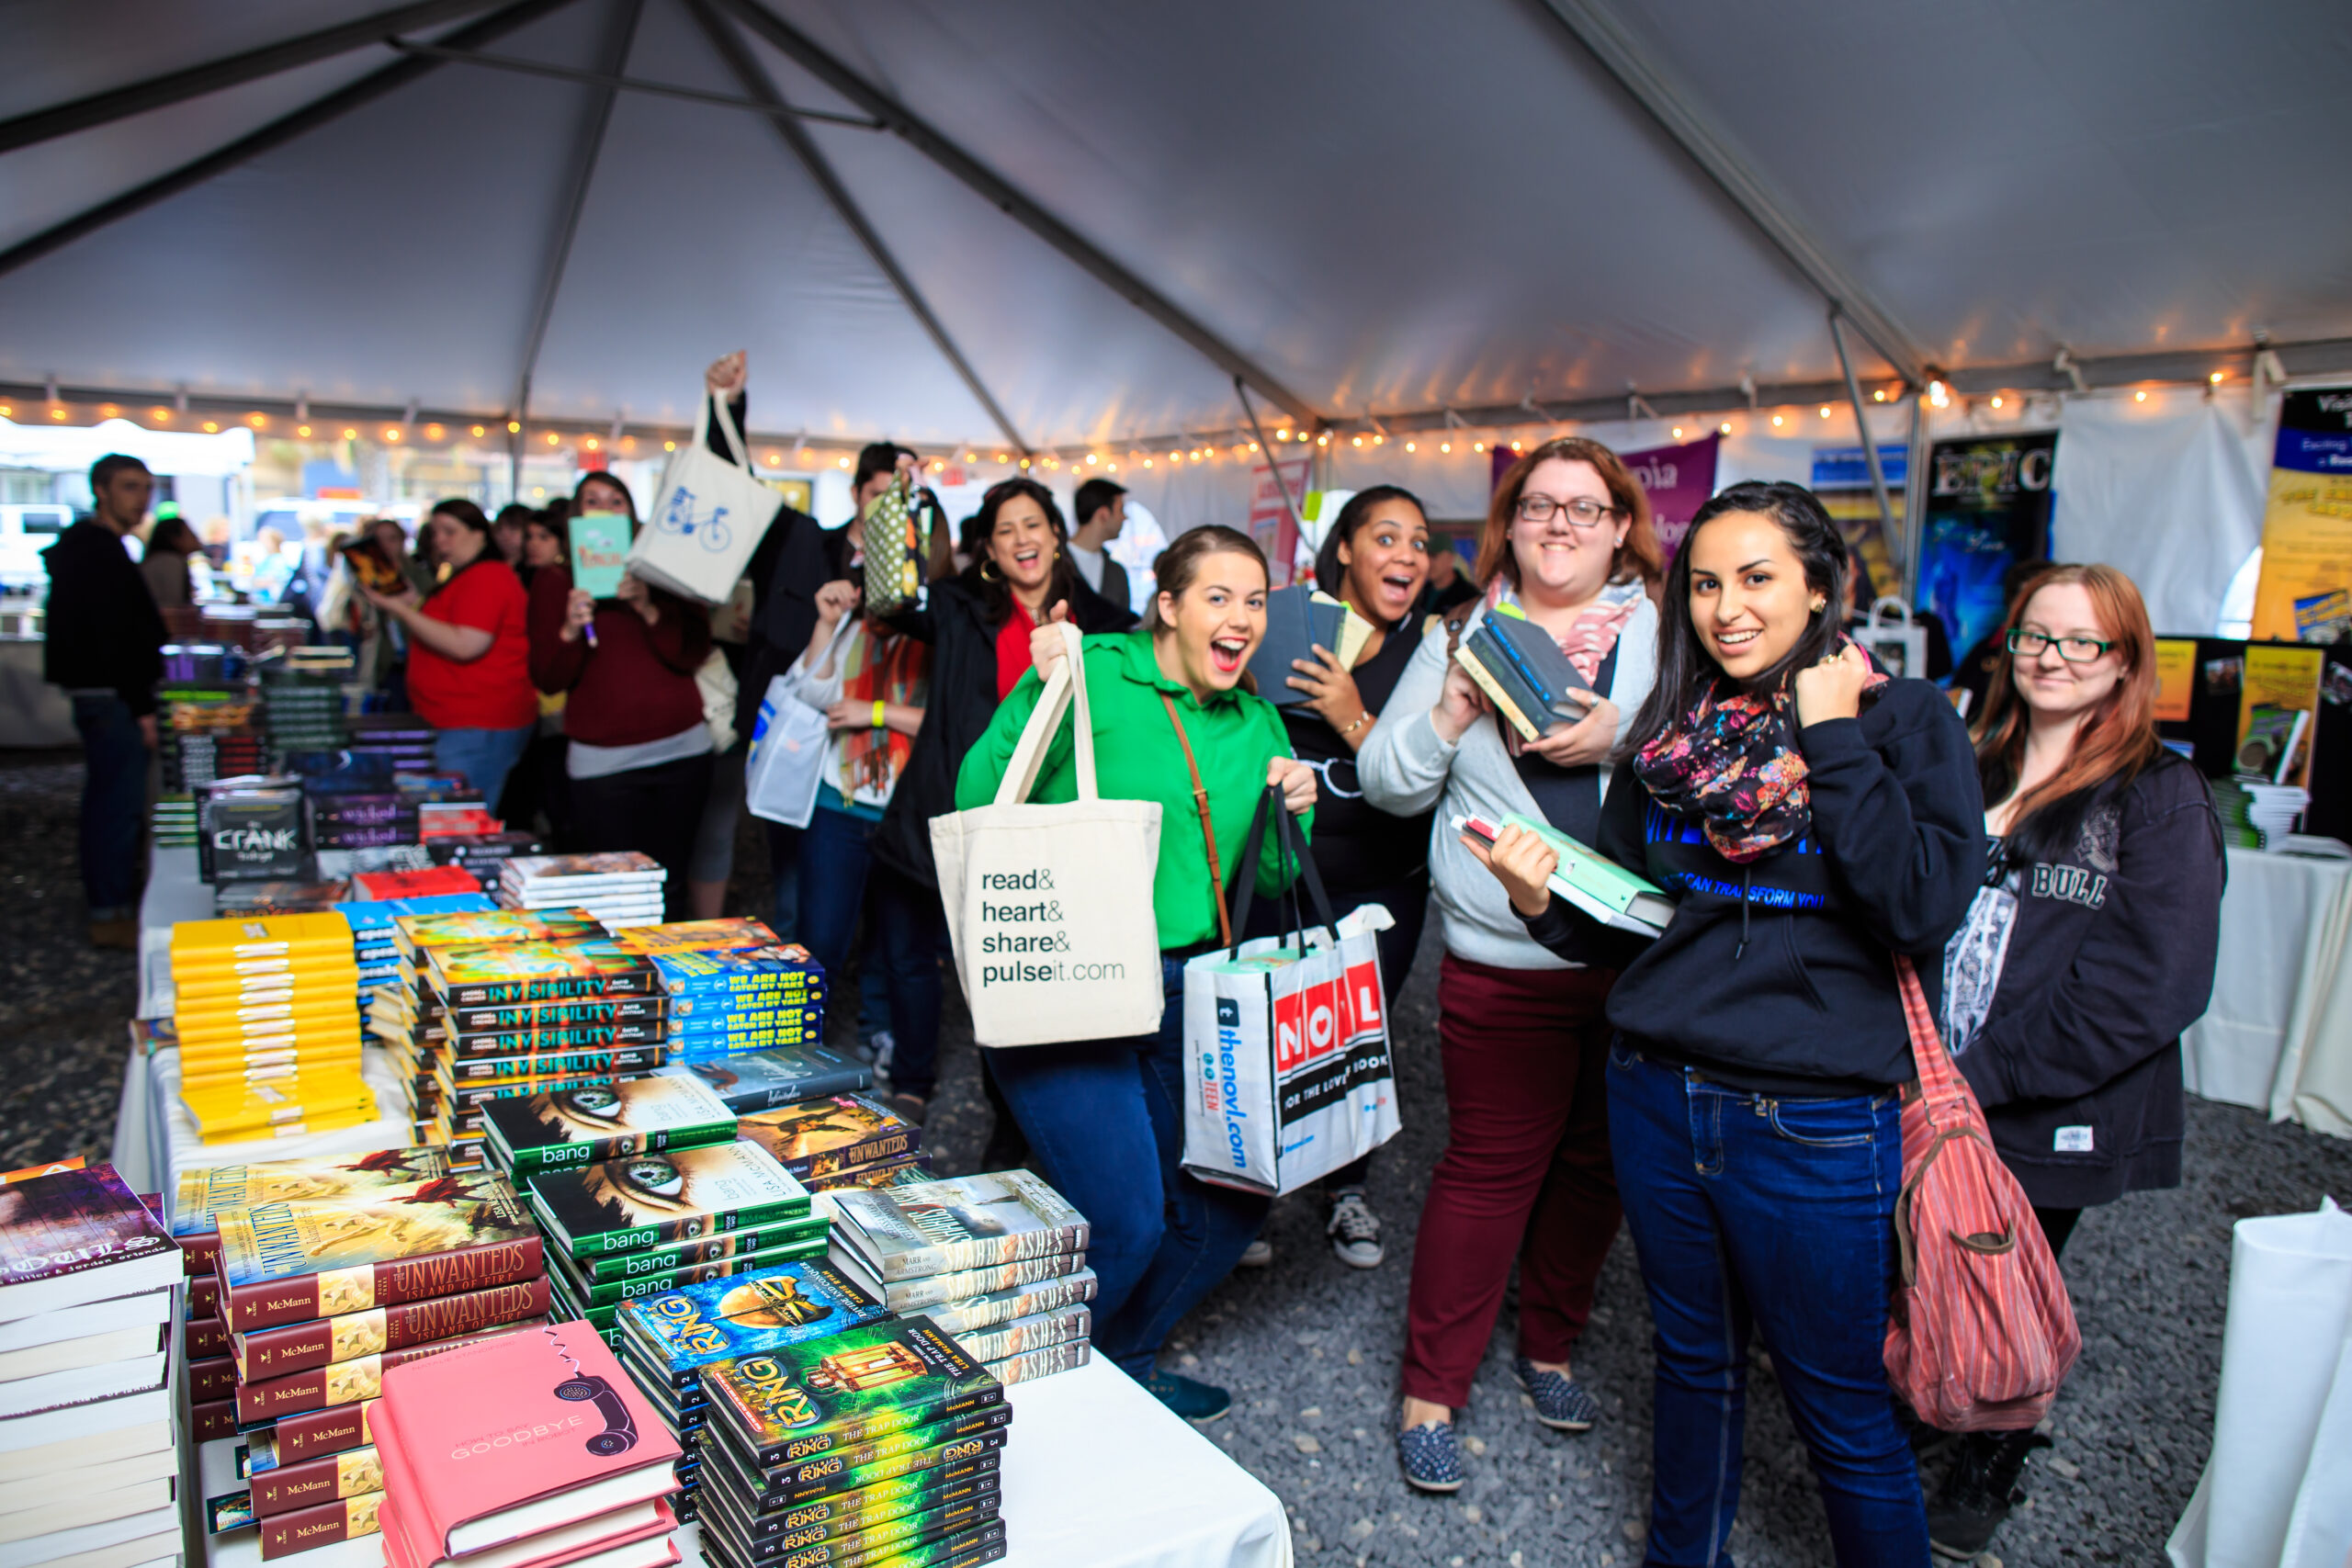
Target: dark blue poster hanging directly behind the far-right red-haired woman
1989	504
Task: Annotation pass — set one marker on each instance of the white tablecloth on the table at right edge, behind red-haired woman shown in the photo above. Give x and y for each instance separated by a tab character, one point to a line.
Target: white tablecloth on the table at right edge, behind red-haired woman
2278	1036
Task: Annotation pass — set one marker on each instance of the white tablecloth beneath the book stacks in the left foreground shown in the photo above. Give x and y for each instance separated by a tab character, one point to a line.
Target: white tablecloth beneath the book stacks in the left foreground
1097	1475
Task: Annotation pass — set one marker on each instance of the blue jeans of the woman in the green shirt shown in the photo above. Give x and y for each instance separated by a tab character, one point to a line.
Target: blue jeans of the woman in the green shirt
1107	1125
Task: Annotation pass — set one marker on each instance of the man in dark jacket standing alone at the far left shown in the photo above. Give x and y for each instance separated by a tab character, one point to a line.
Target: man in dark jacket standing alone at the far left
105	648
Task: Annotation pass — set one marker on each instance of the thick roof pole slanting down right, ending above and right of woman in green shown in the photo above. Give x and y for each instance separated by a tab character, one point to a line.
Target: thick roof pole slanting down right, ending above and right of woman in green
1015	203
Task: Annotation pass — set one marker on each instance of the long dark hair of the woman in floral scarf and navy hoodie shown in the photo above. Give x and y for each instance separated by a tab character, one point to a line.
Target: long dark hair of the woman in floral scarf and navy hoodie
1685	666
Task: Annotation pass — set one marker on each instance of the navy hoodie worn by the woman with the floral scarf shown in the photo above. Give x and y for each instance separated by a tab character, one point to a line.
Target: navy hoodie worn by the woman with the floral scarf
1779	977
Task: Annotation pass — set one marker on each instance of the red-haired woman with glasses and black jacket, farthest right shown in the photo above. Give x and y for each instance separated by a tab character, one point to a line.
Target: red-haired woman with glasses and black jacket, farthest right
2090	946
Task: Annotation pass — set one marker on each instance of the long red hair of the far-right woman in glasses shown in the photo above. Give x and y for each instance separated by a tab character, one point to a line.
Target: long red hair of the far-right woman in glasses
2111	749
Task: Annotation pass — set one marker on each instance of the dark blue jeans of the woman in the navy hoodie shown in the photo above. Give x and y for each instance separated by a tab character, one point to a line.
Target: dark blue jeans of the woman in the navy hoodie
1775	1214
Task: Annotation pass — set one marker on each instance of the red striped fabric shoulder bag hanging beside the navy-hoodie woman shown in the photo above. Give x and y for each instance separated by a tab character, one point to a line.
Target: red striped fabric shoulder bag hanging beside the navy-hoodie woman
1982	1329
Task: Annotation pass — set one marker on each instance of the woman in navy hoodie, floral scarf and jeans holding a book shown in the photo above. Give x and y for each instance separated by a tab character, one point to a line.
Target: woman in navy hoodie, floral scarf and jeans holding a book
1812	819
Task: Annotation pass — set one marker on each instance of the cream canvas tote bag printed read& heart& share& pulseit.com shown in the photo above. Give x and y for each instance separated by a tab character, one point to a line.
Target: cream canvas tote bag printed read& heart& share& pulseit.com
1050	909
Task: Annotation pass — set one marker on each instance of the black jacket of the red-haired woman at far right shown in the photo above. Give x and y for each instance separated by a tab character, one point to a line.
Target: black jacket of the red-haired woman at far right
2111	958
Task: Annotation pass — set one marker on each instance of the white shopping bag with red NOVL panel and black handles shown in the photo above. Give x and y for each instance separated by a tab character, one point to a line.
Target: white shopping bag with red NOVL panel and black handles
1288	1040
